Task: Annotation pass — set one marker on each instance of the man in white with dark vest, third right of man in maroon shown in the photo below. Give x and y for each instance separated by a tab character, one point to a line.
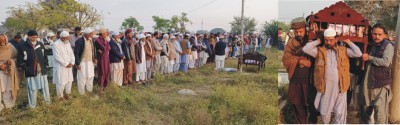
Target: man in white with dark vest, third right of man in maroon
140	59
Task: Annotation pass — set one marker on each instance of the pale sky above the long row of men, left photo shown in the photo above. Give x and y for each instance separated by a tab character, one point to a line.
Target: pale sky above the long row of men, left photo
213	13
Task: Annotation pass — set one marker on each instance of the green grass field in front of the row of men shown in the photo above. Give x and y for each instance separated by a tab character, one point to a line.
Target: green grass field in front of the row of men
222	98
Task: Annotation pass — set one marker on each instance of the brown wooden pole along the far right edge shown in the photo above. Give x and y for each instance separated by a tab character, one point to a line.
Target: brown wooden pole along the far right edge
394	108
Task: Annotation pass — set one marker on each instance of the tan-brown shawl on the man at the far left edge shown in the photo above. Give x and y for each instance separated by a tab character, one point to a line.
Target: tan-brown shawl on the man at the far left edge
9	53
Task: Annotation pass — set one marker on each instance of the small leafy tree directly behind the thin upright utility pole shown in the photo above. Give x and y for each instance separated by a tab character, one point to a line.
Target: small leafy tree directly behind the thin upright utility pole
249	25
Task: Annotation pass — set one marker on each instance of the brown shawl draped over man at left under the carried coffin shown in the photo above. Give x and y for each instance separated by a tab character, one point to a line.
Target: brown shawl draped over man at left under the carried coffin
292	55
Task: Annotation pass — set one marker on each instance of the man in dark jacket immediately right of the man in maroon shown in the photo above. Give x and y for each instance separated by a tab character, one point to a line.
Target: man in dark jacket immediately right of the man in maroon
116	59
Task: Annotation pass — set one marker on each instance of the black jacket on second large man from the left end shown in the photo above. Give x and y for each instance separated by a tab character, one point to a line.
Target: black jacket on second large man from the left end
27	62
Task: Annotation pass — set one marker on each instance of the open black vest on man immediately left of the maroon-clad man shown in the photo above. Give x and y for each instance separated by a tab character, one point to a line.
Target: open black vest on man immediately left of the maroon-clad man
79	48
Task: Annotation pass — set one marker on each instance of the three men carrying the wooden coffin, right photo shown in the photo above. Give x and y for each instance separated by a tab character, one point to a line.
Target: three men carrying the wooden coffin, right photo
323	76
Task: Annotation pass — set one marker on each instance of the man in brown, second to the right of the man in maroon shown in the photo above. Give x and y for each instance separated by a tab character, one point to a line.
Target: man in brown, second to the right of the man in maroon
128	47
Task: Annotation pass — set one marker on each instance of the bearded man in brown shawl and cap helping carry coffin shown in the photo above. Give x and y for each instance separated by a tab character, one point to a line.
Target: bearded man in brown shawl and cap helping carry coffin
298	65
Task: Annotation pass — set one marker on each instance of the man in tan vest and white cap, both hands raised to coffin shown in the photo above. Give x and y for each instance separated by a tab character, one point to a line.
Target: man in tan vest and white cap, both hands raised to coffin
331	75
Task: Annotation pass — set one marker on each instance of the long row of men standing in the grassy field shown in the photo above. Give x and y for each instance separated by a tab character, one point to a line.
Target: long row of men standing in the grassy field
122	58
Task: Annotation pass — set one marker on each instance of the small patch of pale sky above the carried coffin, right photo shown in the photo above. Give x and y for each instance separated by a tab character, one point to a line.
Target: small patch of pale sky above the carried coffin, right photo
290	9
